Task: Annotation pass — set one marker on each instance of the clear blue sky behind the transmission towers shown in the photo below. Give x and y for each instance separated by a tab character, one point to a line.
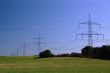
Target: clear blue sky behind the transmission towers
55	20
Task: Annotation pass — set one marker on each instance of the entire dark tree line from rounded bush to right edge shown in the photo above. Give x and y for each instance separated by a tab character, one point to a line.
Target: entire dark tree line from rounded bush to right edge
102	52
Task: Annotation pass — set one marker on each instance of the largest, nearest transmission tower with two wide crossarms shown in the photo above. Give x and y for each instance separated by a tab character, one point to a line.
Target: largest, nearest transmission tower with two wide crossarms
90	31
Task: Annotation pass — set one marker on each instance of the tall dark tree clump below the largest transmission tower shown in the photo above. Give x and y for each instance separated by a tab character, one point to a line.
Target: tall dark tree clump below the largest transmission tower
97	52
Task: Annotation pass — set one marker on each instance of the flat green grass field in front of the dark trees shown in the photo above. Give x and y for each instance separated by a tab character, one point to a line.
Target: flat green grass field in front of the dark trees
53	65
